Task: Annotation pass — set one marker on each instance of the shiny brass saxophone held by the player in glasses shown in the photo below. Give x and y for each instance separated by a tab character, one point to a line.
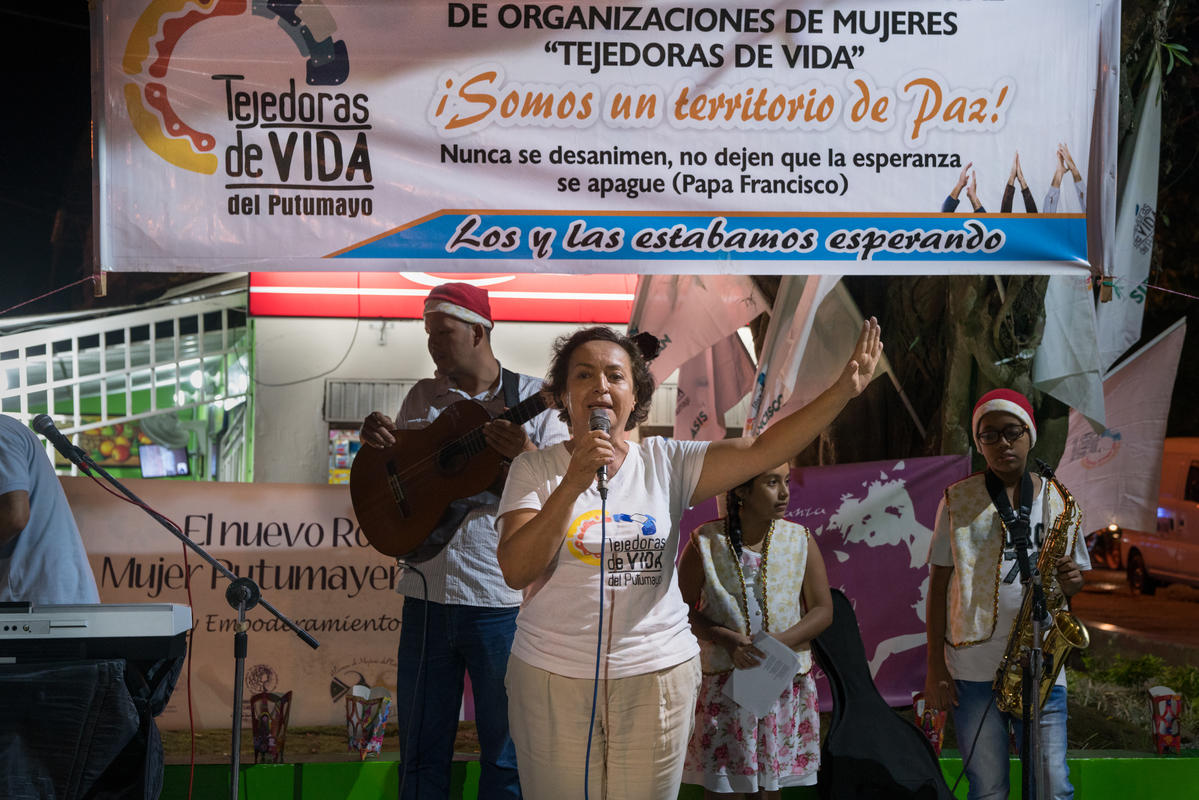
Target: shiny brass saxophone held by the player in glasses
1064	631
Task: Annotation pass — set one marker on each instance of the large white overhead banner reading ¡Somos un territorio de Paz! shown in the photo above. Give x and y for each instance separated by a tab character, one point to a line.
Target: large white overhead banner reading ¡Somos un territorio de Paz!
592	137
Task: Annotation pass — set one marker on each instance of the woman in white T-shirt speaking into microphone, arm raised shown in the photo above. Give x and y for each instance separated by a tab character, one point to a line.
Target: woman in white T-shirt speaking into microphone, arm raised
570	552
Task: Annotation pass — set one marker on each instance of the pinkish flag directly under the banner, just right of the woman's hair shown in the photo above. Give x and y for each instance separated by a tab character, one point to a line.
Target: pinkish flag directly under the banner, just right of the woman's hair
690	314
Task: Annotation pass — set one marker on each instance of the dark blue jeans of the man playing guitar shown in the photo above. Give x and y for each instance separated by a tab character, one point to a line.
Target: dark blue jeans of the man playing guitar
462	640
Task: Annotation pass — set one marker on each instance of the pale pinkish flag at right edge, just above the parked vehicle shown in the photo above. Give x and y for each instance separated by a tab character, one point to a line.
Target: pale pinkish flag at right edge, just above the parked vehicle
1114	476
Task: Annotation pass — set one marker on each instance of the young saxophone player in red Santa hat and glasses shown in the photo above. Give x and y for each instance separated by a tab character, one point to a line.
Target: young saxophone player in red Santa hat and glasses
975	594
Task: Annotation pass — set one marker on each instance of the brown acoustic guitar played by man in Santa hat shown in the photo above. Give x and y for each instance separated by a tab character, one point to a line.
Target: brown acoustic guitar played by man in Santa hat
405	496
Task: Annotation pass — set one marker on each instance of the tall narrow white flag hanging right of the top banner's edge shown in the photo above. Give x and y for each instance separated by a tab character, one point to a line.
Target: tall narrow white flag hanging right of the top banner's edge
1119	321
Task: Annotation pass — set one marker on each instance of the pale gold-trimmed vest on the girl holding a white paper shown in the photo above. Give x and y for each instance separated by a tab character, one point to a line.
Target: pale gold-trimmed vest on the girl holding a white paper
785	558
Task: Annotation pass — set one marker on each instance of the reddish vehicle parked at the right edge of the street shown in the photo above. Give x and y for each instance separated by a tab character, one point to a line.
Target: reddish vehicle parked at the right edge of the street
1170	555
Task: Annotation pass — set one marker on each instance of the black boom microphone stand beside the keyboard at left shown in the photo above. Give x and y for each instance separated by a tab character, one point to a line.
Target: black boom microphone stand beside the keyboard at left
243	596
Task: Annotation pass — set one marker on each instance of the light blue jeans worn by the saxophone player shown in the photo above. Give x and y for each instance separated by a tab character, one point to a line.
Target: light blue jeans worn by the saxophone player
987	760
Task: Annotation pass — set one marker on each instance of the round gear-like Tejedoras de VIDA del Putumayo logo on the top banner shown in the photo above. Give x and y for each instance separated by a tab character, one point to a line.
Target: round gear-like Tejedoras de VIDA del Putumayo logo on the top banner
286	140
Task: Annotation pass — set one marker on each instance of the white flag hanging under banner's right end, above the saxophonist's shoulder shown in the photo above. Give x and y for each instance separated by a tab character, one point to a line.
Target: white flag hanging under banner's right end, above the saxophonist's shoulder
1068	363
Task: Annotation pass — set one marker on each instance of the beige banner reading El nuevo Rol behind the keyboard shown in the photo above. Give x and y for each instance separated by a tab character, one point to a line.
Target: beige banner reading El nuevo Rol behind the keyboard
304	549
